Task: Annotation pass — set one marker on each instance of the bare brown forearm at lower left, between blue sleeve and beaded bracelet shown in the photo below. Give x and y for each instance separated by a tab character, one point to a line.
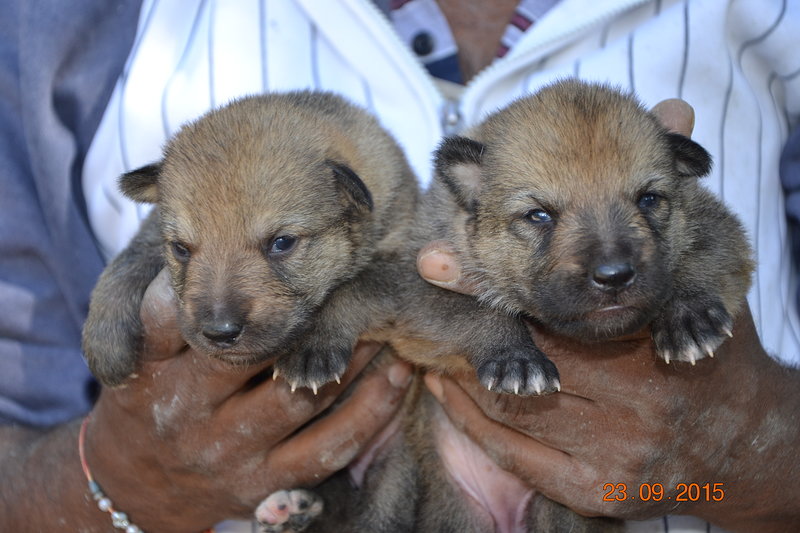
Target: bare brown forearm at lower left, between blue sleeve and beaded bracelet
43	487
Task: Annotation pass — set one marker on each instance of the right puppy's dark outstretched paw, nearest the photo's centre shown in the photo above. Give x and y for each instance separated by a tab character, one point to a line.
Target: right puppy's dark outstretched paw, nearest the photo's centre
521	374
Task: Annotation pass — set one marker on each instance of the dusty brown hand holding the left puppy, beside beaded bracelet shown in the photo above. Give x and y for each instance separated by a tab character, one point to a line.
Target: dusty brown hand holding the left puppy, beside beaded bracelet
191	441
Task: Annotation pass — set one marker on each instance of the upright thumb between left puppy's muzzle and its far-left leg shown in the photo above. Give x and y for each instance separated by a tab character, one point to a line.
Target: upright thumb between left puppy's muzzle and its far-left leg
159	314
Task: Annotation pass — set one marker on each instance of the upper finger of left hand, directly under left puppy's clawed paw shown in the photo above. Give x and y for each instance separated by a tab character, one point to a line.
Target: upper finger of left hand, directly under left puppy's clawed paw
276	412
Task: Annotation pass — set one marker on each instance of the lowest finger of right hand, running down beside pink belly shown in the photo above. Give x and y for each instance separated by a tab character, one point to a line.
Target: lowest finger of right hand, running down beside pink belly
513	451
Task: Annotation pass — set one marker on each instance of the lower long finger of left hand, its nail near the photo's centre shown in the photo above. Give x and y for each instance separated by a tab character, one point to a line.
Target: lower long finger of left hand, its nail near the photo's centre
333	442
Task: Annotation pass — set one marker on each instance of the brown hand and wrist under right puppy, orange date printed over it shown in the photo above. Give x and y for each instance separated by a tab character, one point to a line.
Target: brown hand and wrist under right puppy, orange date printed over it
625	419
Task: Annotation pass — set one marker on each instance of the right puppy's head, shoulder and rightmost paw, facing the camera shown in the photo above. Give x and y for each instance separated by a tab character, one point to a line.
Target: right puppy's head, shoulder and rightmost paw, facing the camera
583	213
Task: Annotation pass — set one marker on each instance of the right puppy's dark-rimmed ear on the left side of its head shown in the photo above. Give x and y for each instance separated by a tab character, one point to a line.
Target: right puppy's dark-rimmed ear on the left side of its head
458	166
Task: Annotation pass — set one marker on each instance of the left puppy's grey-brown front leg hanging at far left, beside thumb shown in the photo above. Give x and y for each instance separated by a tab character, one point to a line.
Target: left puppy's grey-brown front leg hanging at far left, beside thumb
112	333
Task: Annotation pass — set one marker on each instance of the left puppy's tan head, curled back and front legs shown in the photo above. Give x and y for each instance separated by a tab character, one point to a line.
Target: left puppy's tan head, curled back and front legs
270	213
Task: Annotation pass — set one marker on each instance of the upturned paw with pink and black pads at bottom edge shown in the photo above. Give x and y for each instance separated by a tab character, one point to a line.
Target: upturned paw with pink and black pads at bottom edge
288	511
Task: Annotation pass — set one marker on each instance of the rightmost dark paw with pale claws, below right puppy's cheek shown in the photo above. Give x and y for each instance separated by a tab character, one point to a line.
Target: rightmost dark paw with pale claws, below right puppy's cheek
689	331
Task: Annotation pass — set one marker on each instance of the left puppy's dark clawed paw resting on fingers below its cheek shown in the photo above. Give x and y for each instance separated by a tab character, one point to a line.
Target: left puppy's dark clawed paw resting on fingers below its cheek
313	367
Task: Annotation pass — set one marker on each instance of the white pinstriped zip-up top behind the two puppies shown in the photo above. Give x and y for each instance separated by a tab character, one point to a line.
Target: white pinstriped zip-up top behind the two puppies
735	61
